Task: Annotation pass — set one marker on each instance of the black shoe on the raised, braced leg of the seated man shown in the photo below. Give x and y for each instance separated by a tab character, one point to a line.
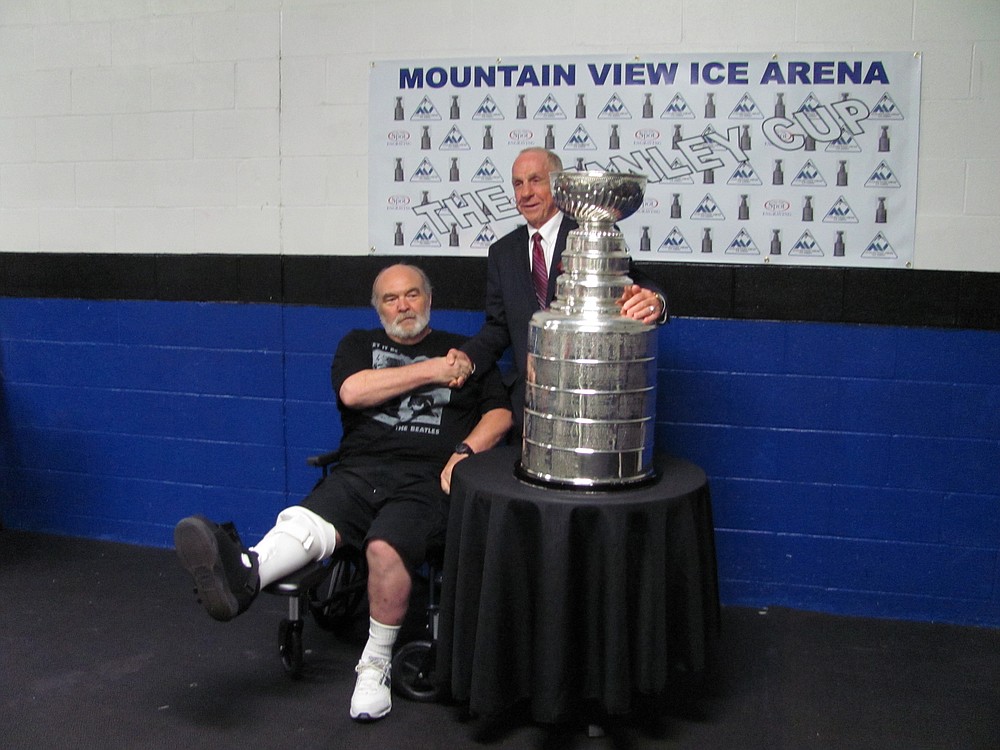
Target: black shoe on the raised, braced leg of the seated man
224	571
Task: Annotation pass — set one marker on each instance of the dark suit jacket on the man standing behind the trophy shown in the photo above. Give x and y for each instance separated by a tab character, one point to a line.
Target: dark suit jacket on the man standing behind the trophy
510	303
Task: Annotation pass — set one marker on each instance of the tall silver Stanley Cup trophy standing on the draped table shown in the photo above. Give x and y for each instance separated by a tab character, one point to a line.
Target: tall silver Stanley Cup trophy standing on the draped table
590	401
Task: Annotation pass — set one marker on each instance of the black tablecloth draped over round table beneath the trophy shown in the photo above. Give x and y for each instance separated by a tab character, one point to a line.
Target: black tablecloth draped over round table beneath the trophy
575	600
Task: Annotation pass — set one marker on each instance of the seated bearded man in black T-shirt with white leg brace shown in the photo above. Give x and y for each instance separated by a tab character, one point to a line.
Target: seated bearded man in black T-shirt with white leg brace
404	429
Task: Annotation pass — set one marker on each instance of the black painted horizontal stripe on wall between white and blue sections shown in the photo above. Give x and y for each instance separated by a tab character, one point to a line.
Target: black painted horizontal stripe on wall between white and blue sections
946	299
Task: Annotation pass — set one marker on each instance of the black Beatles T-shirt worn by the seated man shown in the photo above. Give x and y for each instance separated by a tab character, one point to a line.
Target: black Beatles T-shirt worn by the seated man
423	425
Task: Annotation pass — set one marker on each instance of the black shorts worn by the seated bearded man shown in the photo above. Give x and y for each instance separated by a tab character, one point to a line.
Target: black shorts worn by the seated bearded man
400	503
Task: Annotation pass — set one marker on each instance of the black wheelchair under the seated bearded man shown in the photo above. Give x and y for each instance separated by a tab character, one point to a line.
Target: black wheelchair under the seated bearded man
334	591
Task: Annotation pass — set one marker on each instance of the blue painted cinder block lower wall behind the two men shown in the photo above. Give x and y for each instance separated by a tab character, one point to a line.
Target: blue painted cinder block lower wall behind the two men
853	468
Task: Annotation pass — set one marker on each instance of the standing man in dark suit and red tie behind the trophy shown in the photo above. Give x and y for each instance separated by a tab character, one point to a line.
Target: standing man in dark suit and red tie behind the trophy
511	298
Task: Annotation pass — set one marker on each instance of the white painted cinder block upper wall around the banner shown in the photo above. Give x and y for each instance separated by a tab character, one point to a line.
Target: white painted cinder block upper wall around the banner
240	126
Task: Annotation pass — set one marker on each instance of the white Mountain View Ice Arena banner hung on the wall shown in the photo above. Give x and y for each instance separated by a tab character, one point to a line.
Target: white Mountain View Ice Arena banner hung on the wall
804	159
